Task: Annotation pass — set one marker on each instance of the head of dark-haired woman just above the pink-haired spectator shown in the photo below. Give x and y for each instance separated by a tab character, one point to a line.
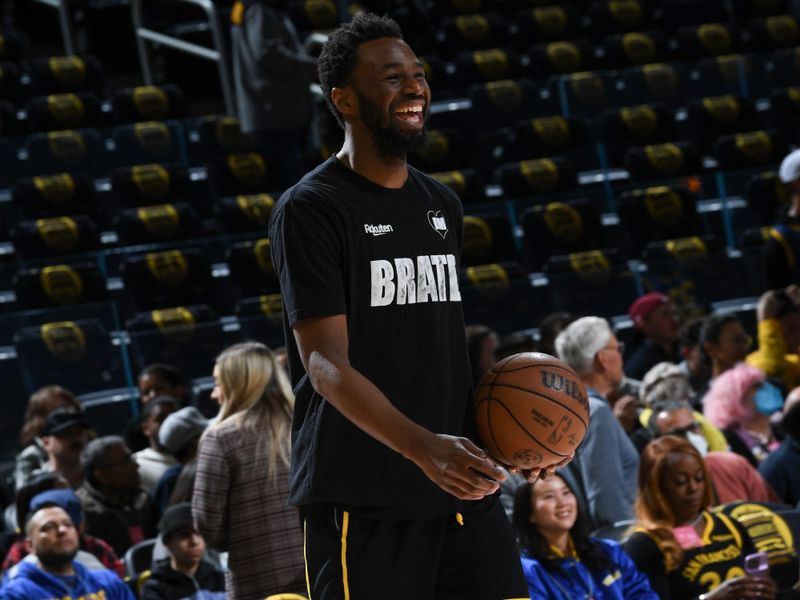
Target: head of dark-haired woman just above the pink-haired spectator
724	343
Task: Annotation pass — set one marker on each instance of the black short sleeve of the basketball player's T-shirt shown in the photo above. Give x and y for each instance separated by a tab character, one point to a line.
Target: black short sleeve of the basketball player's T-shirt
308	257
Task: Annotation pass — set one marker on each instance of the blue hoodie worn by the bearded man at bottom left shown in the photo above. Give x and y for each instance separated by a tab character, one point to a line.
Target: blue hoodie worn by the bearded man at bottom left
32	583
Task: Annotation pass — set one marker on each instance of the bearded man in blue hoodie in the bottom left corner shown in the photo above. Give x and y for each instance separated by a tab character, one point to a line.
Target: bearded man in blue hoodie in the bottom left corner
54	572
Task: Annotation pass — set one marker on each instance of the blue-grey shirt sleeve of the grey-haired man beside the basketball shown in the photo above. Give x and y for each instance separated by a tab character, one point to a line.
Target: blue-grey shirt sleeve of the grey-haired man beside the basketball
602	471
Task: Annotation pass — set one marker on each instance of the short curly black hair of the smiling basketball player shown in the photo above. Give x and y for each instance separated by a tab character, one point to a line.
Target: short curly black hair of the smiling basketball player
338	56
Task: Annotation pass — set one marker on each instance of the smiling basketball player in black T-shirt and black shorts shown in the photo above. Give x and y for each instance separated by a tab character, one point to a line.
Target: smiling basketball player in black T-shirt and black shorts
397	502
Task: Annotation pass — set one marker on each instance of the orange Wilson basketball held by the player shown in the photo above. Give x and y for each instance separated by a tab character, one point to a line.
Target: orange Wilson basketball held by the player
531	410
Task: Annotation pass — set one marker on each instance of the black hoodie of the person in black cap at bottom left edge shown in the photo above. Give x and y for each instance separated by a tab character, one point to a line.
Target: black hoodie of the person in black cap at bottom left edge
166	583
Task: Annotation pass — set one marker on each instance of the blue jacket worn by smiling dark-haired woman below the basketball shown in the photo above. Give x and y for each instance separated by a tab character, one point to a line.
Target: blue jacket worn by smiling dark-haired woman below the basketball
574	580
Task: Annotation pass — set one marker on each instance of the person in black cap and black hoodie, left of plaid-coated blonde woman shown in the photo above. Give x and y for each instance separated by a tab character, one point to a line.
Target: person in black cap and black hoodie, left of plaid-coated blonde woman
185	573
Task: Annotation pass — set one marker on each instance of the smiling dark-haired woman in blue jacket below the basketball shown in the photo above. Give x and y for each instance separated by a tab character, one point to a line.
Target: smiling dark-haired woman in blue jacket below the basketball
560	560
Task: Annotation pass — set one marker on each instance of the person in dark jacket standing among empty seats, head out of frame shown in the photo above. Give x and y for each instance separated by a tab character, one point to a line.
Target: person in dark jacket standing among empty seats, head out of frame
272	73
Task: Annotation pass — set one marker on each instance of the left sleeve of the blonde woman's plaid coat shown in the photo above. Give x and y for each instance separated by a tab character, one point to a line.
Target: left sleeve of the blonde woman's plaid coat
209	500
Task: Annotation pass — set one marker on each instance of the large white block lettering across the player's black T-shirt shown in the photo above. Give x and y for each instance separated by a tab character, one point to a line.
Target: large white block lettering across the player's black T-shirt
428	278
